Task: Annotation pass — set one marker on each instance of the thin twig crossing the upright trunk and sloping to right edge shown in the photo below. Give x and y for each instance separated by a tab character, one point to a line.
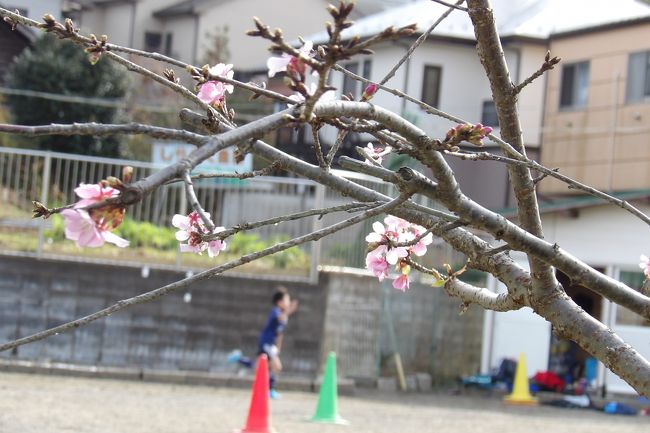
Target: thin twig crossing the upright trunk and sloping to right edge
572	184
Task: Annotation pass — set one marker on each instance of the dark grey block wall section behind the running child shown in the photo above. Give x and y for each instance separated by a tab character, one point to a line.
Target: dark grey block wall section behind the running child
225	313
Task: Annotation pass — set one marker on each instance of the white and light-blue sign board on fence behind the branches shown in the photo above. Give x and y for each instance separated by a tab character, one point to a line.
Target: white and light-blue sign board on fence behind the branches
169	152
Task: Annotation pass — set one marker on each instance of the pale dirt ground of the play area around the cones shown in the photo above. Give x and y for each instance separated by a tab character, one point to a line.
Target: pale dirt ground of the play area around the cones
54	404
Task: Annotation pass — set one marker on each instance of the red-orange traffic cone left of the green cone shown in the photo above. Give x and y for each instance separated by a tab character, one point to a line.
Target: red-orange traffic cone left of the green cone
258	413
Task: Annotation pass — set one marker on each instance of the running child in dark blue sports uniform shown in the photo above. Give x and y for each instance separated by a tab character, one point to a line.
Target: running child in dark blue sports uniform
270	341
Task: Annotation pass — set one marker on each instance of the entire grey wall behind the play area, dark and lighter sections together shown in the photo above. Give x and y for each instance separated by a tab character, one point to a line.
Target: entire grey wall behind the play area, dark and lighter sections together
344	313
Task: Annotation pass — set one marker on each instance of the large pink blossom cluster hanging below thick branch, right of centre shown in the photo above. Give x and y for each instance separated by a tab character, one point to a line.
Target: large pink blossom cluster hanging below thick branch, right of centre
392	244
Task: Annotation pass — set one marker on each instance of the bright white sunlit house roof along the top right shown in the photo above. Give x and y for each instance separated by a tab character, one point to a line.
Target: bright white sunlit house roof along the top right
533	19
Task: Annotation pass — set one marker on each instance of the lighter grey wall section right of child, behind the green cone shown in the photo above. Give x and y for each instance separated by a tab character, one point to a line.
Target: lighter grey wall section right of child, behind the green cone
430	335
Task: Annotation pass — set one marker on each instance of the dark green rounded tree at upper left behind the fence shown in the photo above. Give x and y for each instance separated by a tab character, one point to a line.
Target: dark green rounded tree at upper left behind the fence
58	67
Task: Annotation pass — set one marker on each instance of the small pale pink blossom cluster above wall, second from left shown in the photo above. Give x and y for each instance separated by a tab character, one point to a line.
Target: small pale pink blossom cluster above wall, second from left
192	230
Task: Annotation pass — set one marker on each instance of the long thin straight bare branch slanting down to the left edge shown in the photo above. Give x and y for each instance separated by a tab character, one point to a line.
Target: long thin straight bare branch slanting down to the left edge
170	288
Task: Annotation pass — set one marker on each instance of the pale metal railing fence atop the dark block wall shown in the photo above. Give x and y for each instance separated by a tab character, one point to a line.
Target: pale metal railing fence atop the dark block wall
51	177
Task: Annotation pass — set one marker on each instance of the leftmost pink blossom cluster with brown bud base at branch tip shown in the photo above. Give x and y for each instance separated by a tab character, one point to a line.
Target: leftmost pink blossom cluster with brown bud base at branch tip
92	228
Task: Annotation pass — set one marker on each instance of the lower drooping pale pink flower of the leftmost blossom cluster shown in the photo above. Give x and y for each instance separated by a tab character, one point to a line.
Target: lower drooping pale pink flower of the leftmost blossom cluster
87	232
